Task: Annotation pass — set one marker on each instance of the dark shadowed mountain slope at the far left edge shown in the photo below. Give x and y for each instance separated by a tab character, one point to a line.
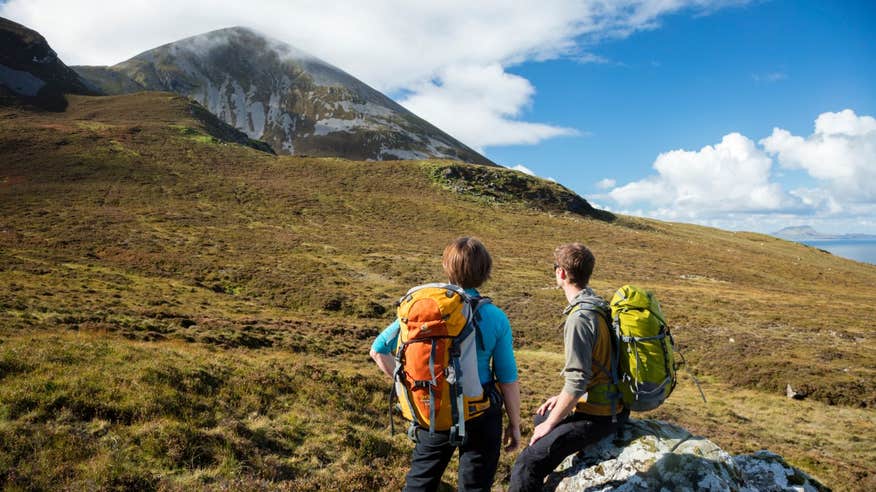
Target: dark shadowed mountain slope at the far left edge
30	71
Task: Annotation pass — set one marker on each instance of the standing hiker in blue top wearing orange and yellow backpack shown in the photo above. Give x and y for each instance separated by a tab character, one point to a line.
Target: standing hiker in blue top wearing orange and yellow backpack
451	358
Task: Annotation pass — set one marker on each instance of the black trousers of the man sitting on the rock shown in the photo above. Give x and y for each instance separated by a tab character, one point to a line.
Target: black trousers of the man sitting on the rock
571	435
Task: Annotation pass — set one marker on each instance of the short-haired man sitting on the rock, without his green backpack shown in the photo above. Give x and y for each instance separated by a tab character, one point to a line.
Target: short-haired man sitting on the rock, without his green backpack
589	407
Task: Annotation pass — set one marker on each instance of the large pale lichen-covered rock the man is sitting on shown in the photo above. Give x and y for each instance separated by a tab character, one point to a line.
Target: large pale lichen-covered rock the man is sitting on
655	455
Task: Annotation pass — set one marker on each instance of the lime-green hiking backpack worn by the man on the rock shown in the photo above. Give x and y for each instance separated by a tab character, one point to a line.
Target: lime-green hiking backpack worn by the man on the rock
645	349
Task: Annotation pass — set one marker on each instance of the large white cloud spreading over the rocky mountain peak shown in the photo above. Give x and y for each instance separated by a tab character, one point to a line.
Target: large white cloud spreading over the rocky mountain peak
428	51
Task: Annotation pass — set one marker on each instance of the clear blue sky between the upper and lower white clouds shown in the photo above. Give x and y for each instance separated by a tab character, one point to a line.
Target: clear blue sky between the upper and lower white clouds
696	78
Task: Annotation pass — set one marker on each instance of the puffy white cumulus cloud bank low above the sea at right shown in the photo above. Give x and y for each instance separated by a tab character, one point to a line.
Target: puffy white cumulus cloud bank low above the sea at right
732	185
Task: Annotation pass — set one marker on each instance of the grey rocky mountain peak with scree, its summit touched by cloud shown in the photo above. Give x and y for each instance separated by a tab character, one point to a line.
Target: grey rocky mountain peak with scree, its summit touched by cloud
274	92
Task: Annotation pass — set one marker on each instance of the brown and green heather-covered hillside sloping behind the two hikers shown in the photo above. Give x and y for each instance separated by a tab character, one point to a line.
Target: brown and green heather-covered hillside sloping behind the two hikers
183	311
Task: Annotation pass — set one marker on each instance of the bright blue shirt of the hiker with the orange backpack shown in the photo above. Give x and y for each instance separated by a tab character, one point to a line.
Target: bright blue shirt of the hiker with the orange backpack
495	332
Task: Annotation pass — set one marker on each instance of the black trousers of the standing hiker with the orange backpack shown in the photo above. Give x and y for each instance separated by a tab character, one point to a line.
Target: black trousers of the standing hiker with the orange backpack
478	457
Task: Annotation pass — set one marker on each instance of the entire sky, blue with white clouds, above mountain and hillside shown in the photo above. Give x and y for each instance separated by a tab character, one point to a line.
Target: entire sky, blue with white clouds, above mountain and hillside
744	115
